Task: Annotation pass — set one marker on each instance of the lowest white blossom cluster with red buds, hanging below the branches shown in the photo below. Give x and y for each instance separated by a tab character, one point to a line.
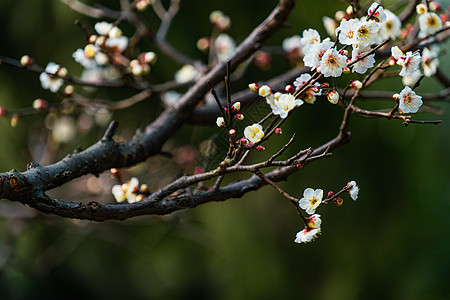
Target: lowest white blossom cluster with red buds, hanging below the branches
311	200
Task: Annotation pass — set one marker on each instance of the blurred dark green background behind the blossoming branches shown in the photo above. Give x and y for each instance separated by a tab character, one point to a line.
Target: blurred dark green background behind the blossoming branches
392	243
